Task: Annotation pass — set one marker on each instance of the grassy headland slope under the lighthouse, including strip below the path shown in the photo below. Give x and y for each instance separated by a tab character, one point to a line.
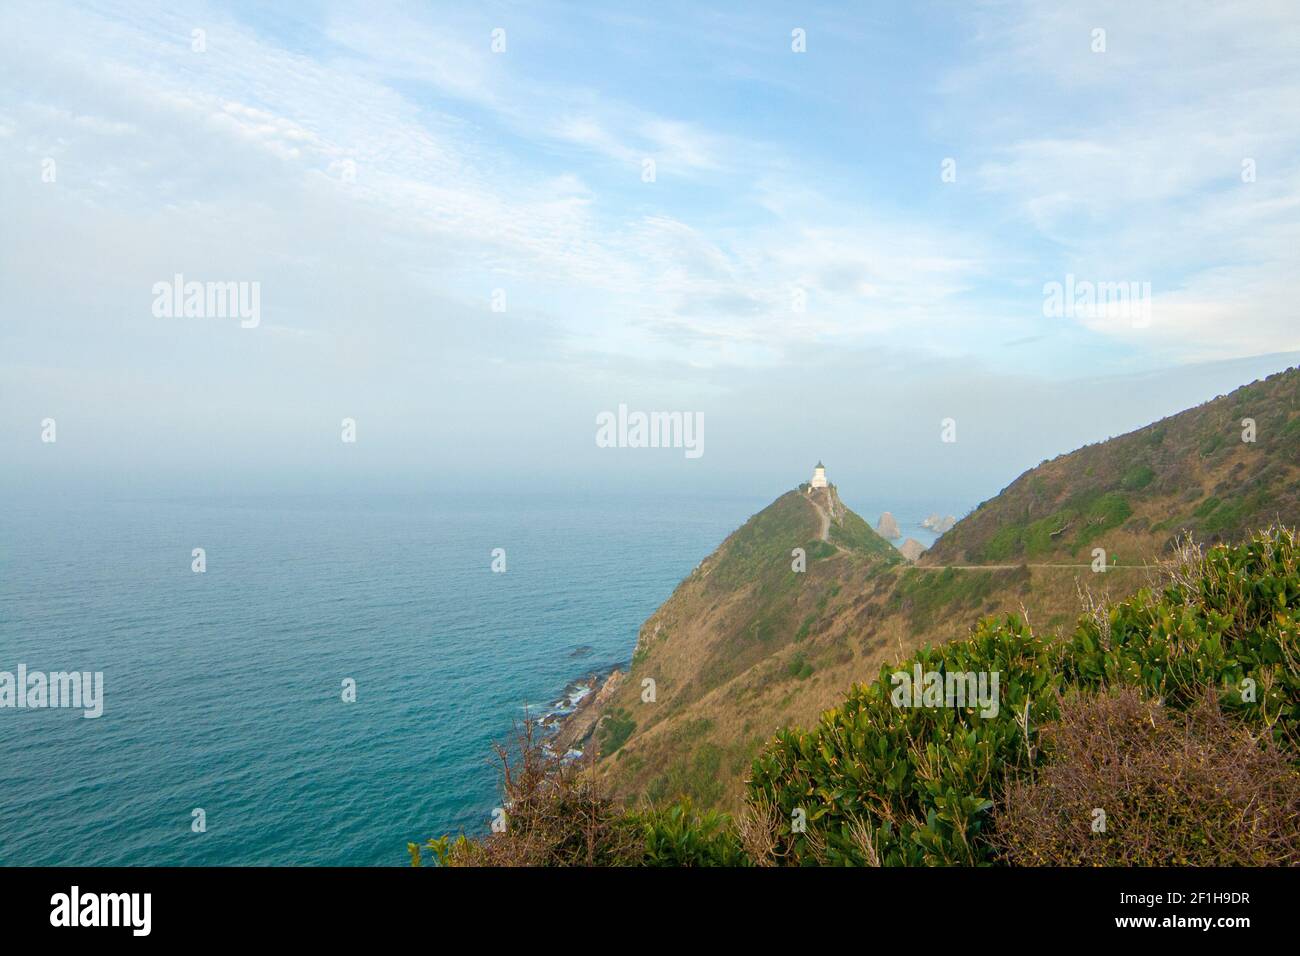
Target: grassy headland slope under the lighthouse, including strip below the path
747	646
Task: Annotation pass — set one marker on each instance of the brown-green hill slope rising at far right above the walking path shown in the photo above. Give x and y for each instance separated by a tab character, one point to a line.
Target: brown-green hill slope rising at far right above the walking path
1136	495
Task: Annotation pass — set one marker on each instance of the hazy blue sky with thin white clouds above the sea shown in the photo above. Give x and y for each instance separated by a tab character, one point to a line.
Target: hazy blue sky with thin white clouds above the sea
824	228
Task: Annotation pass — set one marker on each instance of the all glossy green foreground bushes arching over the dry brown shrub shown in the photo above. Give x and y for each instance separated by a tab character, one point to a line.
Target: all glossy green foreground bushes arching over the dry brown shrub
911	786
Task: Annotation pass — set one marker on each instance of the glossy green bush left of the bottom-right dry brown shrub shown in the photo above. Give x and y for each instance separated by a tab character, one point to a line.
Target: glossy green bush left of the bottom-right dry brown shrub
917	780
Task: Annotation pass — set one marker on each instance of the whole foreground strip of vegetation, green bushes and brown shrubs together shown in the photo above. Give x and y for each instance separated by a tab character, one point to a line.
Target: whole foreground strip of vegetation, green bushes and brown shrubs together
1175	715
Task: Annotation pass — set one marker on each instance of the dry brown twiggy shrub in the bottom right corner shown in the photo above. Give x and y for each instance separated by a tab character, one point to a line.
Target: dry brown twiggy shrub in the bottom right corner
1177	790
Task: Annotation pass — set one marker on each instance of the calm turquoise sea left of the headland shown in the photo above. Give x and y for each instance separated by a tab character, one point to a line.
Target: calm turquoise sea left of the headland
224	690
